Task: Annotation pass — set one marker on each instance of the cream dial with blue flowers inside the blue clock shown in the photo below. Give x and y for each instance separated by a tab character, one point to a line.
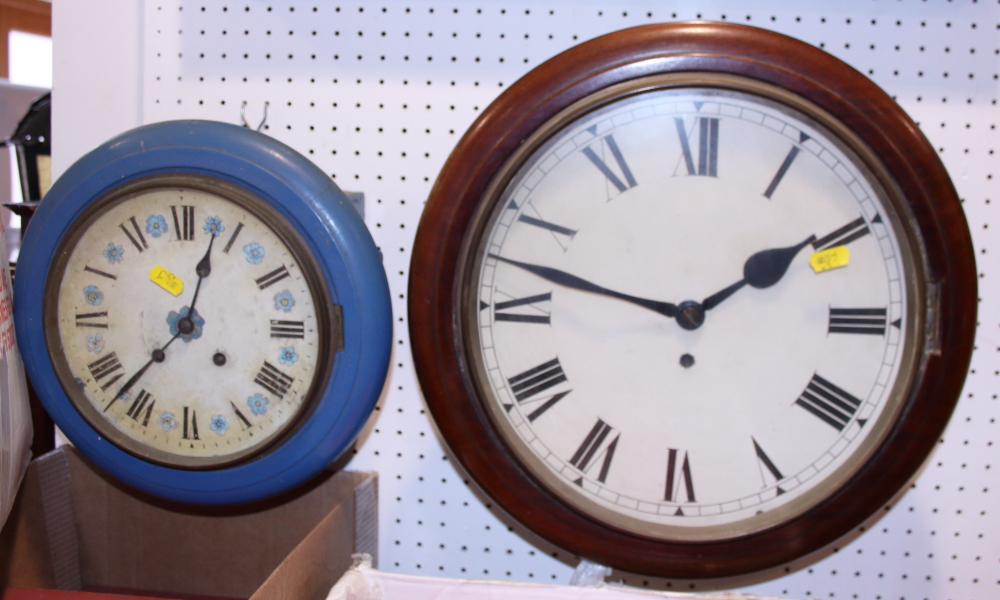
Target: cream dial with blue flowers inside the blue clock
182	387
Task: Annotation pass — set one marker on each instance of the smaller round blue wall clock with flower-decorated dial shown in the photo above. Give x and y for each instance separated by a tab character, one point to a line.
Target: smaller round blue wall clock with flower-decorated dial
203	313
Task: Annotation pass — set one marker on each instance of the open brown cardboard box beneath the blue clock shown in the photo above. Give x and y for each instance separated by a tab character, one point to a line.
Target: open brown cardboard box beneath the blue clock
74	528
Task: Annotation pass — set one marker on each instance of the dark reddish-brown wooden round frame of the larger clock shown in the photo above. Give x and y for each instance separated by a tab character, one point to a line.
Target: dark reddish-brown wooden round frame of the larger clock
714	55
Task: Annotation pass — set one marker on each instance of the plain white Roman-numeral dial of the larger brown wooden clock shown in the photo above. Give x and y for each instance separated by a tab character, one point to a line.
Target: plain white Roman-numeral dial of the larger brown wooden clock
647	327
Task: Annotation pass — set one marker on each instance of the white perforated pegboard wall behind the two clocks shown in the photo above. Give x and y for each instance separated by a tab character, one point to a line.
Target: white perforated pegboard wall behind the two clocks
378	93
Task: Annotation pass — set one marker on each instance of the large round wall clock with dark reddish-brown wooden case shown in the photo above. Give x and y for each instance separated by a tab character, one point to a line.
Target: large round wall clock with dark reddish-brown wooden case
692	300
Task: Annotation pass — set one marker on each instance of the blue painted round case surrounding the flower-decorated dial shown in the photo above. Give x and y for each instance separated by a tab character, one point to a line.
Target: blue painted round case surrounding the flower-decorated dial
332	230
